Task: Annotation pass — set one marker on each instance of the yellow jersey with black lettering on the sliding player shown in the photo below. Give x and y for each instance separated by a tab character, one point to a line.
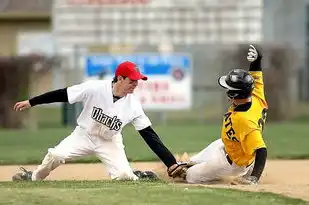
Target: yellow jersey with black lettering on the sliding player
243	125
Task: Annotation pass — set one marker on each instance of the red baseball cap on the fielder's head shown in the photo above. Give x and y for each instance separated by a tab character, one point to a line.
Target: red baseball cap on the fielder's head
130	70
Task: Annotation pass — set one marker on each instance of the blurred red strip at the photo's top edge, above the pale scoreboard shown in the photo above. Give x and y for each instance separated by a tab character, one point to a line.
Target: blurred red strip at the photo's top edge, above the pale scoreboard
104	2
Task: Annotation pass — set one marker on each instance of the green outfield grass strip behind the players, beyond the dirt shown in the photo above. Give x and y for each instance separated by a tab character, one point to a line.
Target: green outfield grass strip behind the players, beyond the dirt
284	140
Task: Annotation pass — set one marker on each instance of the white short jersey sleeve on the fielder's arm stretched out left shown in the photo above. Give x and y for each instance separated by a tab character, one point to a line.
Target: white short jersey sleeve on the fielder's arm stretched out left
79	92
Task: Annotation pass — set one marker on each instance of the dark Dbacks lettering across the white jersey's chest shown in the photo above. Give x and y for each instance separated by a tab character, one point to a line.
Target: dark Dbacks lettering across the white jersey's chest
113	123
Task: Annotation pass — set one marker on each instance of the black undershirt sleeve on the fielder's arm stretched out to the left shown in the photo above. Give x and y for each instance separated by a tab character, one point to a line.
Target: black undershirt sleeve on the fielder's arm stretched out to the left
60	95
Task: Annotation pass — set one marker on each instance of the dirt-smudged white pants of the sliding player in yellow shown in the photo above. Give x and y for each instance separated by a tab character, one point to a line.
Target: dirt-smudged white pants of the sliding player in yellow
212	165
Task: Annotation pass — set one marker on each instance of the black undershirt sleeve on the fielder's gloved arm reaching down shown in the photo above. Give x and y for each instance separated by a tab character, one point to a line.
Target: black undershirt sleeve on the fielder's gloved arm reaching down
156	145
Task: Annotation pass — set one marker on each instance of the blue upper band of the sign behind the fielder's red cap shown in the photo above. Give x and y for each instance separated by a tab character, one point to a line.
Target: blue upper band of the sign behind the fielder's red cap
149	64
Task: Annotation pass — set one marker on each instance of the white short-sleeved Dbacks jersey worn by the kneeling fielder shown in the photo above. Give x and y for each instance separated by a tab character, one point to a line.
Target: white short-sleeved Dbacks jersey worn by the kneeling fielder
101	116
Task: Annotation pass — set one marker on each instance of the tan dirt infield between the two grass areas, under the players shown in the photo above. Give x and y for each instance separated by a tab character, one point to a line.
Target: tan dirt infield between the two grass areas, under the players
288	177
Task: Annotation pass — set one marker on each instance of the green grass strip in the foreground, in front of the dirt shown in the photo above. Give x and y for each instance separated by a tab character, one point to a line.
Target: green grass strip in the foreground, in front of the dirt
133	193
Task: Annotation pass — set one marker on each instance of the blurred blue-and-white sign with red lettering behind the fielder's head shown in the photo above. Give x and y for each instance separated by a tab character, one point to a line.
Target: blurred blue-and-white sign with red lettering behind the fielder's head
169	77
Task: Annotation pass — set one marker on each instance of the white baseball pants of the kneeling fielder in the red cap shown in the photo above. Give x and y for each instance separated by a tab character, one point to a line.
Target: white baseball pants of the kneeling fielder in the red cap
78	144
